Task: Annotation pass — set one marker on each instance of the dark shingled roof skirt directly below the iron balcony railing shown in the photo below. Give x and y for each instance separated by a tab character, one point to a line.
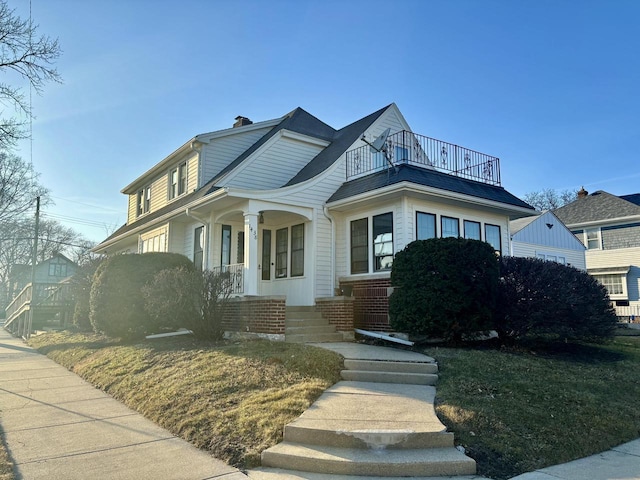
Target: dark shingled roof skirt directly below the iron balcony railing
428	178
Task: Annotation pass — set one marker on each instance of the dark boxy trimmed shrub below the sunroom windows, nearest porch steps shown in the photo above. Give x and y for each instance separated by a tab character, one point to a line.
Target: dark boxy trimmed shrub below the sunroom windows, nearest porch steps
444	287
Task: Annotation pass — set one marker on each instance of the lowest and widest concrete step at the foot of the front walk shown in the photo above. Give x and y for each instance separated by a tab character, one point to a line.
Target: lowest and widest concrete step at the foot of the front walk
371	463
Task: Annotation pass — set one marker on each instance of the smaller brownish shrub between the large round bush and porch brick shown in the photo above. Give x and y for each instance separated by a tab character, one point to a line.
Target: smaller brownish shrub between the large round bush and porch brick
190	299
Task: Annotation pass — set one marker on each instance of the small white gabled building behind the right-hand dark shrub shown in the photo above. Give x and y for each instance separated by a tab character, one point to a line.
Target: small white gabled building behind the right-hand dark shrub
544	236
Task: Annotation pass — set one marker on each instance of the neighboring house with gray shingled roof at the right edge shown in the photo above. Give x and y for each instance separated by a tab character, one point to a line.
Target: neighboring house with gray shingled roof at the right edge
609	227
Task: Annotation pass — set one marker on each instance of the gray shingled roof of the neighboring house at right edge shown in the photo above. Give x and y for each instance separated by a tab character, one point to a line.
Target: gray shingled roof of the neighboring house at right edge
597	206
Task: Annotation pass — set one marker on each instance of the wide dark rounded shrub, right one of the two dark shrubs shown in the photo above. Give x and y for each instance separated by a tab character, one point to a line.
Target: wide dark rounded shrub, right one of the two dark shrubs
538	297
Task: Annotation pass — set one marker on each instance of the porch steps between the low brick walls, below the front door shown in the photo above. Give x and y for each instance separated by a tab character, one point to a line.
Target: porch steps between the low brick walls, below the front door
306	325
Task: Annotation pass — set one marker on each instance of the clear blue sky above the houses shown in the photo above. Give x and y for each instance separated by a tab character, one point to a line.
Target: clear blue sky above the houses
550	87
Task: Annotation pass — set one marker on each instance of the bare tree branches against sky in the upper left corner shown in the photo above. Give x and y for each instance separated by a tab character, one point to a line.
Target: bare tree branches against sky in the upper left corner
30	56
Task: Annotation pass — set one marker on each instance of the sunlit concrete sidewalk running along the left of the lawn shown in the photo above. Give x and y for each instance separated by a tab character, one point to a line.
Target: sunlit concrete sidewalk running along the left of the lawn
57	426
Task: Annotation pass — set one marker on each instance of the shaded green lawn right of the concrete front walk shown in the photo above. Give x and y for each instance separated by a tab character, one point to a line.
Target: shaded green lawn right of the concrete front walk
521	410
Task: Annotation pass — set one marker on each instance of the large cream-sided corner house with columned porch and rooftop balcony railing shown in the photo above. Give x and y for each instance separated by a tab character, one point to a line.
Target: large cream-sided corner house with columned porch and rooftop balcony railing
302	214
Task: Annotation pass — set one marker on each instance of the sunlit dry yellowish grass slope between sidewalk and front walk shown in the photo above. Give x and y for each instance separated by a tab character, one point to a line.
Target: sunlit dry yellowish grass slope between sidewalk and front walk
232	399
